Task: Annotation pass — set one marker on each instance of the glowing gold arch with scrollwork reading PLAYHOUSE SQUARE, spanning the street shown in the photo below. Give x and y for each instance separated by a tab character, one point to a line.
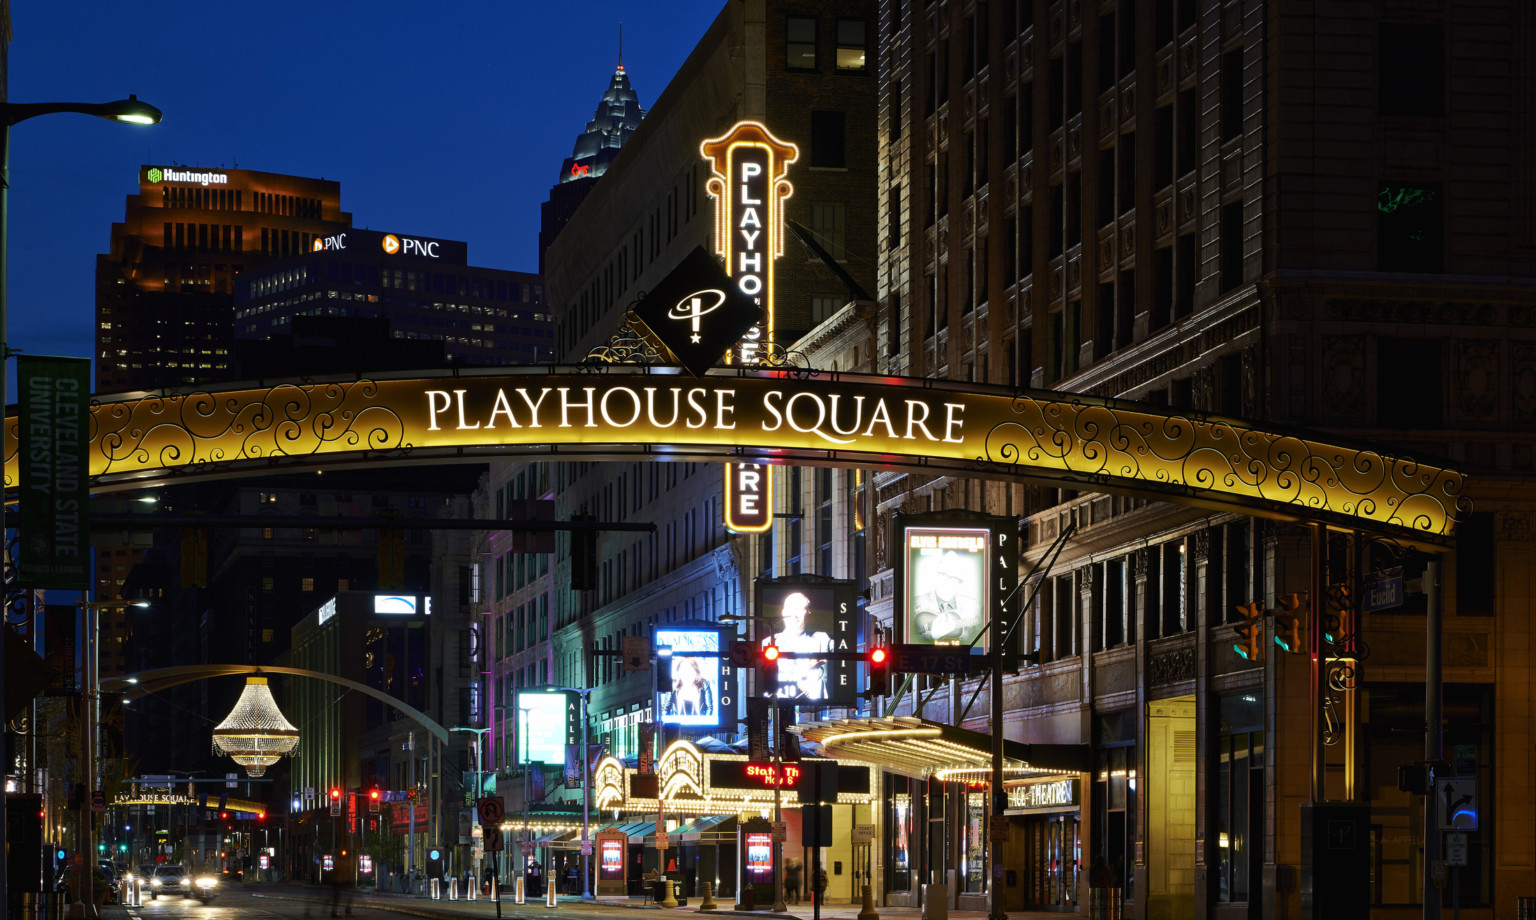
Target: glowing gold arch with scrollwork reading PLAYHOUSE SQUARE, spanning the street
778	417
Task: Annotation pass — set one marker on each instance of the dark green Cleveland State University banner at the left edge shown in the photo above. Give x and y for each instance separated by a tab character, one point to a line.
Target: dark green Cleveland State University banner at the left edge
55	474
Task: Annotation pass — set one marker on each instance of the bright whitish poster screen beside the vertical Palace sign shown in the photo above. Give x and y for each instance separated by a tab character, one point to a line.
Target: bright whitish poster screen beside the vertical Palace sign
945	598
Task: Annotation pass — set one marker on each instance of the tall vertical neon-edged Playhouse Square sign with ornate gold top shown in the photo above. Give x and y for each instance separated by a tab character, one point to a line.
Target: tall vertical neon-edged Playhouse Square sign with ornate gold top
749	184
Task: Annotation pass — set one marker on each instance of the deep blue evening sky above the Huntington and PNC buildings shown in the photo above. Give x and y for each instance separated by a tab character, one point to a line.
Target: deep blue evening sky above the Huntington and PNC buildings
442	119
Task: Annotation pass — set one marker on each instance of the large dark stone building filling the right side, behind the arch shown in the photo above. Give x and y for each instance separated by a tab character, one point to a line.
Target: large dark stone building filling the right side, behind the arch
1311	217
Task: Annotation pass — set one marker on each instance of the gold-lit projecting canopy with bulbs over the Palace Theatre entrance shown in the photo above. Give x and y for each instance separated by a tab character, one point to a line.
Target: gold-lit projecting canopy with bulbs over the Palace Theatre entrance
922	749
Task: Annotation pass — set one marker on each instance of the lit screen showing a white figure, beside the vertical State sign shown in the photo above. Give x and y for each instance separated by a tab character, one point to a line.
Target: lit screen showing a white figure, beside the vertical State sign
806	618
